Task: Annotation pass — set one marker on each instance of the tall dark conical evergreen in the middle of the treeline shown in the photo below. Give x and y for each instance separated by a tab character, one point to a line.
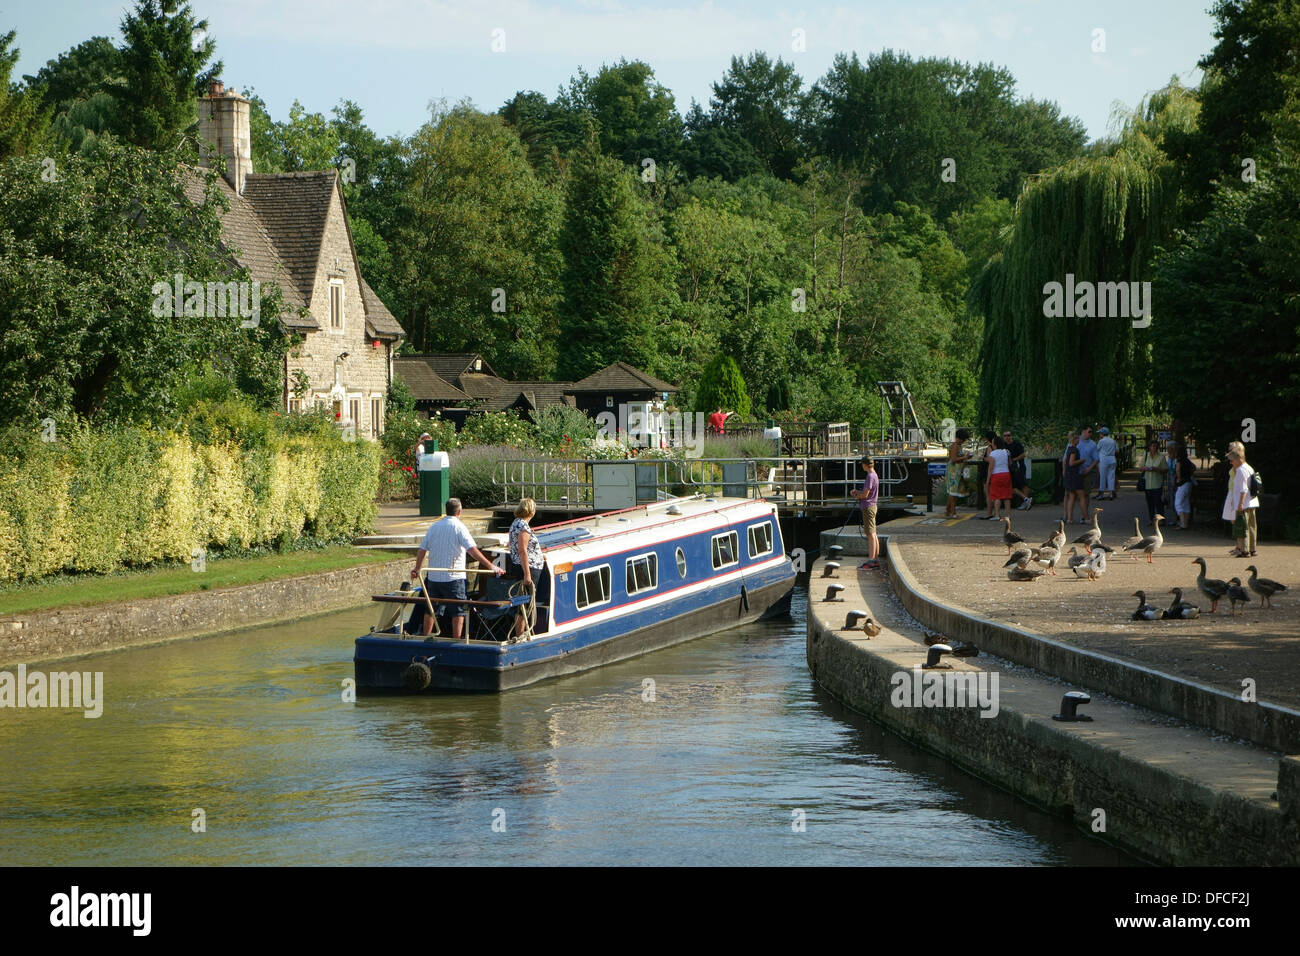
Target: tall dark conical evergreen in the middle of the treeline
617	279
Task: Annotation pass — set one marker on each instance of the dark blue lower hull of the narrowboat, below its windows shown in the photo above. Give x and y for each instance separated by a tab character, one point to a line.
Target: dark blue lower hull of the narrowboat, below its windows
382	661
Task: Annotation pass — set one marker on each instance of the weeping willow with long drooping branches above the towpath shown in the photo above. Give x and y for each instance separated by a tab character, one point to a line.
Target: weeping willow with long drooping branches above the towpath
1097	219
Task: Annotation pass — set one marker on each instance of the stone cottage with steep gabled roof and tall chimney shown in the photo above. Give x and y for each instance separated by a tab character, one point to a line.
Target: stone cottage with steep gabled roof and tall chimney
293	230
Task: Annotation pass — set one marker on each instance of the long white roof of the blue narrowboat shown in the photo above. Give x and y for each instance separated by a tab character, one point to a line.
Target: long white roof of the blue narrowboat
644	526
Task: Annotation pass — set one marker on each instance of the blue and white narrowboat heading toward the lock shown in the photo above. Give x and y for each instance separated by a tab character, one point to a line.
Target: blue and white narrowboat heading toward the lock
616	586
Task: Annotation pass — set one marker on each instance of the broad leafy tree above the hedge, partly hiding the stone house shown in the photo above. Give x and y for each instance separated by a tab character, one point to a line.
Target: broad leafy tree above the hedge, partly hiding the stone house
80	258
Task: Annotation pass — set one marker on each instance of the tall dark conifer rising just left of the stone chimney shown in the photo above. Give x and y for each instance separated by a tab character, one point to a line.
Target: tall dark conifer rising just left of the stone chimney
166	68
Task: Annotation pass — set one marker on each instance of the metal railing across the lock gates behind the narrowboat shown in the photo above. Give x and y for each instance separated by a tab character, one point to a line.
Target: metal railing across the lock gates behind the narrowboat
791	482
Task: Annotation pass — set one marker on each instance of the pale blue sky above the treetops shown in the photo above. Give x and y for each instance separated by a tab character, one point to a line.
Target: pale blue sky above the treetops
395	58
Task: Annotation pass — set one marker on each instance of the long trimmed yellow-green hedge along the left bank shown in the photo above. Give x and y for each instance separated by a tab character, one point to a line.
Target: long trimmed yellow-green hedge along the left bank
133	496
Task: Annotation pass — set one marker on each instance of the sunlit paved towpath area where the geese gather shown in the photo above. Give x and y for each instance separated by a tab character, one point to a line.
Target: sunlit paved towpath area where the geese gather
961	563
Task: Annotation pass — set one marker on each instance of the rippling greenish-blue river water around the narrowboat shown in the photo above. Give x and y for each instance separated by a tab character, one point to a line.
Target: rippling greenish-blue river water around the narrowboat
740	759
